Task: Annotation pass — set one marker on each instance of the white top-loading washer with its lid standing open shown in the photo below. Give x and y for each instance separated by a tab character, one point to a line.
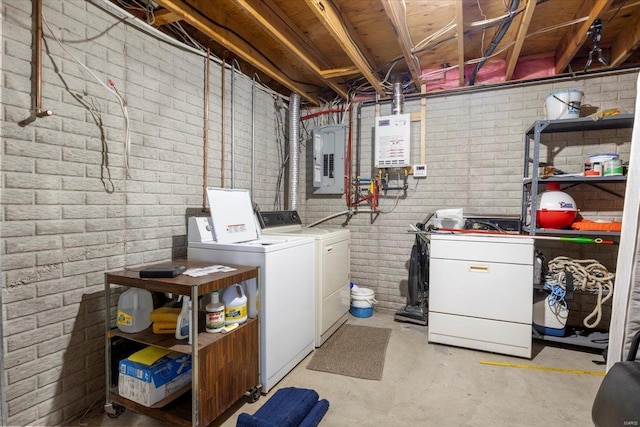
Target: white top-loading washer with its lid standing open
287	282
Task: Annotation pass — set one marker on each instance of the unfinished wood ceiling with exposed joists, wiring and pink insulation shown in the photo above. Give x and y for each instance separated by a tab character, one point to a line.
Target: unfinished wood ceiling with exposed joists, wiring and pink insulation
323	49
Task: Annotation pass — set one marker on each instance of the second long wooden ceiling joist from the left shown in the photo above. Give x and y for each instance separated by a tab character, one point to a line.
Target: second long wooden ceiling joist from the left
269	17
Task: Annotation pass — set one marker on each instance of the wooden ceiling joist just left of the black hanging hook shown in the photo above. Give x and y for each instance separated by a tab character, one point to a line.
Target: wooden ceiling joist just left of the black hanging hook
571	44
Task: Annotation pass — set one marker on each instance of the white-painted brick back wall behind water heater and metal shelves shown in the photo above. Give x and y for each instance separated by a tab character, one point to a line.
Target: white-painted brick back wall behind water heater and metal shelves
474	157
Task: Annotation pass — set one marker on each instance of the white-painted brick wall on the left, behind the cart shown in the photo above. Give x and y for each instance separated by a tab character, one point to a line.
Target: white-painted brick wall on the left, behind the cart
66	219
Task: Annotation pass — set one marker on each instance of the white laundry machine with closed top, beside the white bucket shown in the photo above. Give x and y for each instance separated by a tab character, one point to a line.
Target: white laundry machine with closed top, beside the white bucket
332	268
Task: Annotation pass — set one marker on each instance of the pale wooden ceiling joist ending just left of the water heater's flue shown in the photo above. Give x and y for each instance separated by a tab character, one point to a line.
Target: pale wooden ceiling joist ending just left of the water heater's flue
331	20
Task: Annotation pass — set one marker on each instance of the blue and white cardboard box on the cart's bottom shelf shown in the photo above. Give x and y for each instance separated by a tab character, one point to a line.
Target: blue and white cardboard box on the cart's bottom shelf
149	384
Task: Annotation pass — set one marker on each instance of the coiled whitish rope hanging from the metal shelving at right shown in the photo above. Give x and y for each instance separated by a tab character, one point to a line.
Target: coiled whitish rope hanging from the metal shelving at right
589	276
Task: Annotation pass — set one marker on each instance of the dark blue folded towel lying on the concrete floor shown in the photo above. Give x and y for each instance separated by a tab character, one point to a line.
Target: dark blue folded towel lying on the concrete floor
288	407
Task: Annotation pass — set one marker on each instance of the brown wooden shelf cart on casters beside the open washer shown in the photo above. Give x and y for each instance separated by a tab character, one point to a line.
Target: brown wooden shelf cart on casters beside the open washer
225	367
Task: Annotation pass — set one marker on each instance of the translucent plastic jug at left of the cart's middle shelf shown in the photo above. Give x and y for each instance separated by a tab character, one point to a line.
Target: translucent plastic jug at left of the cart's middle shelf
134	310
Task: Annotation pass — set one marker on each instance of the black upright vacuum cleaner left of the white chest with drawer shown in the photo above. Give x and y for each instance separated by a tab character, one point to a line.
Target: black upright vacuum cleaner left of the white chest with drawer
418	286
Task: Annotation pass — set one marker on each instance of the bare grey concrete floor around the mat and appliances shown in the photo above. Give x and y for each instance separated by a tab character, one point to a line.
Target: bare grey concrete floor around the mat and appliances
431	384
